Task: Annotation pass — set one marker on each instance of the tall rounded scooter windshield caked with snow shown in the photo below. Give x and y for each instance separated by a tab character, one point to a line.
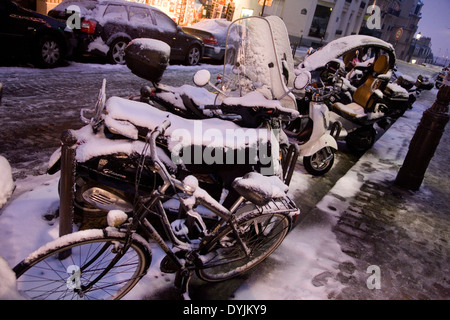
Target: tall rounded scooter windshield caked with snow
252	62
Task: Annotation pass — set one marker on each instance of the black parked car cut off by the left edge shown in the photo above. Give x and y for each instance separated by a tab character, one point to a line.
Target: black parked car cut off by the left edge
38	38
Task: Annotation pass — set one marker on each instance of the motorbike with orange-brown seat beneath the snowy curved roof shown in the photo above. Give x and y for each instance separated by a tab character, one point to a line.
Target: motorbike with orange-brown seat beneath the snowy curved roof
361	103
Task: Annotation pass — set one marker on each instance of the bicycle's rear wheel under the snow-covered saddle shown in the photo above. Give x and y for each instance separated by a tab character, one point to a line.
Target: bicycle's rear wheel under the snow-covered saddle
261	234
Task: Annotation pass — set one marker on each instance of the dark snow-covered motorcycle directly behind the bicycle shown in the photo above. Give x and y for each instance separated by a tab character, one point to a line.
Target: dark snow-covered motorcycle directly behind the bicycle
214	150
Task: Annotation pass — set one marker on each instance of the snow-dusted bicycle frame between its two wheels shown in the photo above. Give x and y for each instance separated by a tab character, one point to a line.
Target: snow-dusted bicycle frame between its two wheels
152	204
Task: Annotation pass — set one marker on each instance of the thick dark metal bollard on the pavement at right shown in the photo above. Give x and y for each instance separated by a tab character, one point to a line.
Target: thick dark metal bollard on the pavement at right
425	142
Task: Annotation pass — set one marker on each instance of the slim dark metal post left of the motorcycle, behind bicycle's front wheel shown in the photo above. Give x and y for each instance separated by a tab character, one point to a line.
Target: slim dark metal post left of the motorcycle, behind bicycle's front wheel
66	196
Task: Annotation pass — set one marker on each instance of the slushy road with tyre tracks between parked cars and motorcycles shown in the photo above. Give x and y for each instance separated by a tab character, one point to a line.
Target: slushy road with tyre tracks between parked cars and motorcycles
38	105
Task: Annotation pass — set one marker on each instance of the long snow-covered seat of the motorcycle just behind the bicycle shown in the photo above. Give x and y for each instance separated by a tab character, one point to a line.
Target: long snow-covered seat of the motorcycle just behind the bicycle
126	116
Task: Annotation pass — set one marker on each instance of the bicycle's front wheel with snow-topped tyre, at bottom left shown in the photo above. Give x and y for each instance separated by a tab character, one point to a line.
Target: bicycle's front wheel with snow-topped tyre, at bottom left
85	265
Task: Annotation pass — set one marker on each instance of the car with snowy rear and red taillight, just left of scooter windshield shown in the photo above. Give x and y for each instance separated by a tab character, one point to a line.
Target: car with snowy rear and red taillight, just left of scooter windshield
213	32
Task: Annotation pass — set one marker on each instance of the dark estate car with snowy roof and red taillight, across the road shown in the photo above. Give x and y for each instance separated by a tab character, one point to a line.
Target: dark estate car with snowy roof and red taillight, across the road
108	26
